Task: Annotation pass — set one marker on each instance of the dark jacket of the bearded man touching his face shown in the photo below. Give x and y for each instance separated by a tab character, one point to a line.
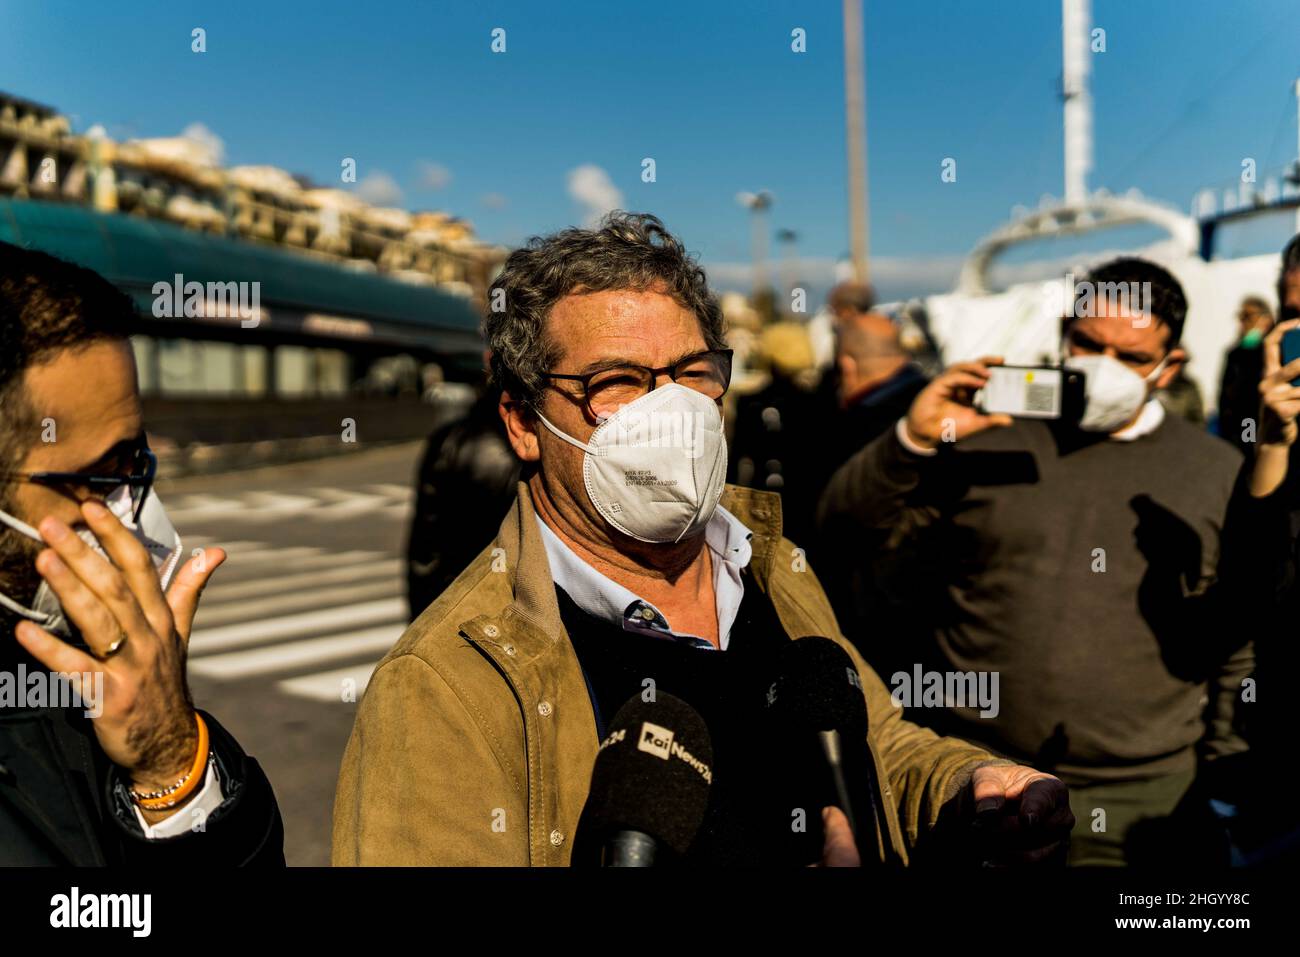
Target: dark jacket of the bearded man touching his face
63	803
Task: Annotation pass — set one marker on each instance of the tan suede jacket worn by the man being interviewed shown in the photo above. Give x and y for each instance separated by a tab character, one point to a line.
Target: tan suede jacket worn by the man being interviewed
475	741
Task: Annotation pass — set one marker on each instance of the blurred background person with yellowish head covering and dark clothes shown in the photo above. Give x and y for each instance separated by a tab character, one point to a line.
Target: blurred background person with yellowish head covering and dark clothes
777	428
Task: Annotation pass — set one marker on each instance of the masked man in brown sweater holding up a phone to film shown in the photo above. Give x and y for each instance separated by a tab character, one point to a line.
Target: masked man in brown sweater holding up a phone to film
1077	560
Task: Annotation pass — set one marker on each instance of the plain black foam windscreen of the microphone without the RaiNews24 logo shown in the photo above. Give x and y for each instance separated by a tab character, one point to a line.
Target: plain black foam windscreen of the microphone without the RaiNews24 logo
817	688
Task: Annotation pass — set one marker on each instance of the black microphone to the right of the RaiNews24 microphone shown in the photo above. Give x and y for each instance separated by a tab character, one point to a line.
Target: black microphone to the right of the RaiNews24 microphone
817	699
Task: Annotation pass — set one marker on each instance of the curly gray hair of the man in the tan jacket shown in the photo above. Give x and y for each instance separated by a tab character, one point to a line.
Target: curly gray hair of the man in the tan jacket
626	252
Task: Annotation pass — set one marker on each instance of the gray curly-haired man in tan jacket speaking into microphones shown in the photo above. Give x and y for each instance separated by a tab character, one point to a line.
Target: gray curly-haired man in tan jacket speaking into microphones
627	570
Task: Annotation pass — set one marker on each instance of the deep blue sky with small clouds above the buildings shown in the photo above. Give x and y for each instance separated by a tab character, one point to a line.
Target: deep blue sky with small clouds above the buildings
710	90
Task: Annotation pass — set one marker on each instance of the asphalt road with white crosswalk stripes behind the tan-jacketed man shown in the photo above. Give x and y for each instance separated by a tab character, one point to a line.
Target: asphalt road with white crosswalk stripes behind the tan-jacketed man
292	626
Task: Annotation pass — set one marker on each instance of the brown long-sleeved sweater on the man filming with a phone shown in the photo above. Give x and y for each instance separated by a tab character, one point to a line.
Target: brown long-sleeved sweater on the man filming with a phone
1106	674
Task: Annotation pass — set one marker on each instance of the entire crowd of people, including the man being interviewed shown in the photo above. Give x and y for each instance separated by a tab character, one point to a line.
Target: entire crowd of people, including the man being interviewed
1071	634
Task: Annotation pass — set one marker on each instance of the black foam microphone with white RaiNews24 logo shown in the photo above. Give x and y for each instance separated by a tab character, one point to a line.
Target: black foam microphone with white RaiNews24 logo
649	786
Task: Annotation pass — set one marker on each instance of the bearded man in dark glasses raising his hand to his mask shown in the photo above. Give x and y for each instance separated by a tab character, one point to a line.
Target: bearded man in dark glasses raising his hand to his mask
114	767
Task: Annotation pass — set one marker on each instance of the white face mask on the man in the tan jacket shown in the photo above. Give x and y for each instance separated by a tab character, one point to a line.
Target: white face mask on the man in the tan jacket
656	469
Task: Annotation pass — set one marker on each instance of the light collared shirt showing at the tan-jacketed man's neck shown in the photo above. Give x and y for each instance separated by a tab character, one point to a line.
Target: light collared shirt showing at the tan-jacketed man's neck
609	601
